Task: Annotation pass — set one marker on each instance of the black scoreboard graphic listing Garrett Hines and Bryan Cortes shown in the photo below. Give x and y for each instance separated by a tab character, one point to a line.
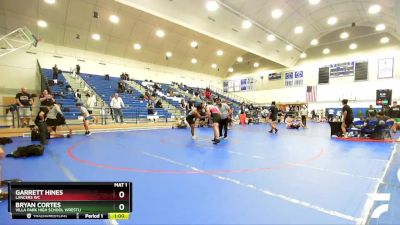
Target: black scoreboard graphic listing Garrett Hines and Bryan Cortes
70	200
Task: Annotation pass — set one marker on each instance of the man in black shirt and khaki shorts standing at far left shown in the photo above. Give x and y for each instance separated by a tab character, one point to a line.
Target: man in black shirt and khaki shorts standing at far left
24	101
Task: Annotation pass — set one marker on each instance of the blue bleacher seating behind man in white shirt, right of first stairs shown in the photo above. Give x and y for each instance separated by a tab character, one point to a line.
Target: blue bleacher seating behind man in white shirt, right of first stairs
135	107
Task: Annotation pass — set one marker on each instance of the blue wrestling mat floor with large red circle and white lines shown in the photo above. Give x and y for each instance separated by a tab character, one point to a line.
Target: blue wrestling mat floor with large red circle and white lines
253	177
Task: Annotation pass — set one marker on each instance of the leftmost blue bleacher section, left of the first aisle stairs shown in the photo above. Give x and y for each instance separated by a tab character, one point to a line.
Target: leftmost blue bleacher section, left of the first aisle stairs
68	101
